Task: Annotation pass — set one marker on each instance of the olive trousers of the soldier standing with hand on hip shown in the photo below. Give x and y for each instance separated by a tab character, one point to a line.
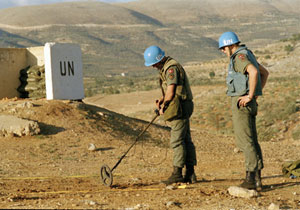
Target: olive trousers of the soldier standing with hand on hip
244	125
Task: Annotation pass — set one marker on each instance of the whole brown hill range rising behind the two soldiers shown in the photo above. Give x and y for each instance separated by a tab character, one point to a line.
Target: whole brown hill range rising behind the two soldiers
113	37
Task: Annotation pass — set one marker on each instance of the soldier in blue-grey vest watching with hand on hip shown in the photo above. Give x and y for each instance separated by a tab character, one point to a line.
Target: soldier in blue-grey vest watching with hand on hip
245	80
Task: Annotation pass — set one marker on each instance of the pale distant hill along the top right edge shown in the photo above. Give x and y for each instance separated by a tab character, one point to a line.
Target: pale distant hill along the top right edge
199	11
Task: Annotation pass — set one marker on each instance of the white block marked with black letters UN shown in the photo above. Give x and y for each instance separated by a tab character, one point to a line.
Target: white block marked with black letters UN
63	71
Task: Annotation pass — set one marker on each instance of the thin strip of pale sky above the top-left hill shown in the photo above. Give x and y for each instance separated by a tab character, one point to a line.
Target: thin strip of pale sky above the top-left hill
15	3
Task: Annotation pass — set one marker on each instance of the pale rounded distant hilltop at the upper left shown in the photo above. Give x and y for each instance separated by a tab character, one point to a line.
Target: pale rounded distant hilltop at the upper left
73	13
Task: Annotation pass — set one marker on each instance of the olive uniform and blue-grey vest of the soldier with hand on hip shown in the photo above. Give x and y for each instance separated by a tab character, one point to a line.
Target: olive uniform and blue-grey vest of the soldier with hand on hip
244	118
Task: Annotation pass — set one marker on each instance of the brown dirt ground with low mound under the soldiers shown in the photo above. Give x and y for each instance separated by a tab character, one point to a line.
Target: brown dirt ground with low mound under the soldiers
56	170
